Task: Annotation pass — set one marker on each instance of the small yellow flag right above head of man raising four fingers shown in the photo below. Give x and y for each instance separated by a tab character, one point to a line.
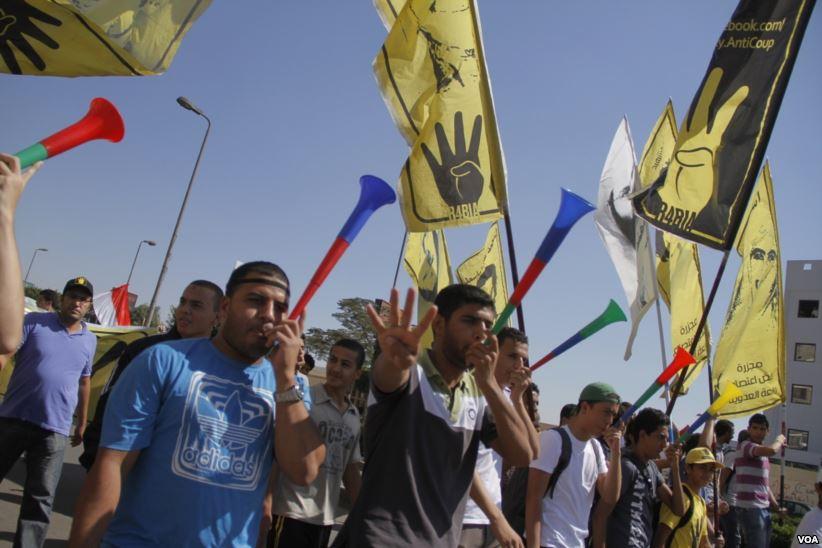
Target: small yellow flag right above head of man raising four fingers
486	269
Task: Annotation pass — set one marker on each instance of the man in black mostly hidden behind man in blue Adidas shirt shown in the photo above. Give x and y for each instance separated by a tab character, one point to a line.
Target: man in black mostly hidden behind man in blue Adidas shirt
194	317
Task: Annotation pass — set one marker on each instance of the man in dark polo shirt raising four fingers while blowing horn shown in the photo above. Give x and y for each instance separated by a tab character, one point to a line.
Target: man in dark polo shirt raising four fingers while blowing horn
426	418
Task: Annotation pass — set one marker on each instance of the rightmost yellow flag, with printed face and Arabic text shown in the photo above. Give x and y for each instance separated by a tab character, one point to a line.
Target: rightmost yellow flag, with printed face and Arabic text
751	350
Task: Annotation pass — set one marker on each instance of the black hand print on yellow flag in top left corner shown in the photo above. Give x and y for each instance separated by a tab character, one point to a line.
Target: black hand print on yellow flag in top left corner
17	27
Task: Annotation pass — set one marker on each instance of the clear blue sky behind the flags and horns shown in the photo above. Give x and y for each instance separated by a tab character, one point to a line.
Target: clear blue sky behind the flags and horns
298	118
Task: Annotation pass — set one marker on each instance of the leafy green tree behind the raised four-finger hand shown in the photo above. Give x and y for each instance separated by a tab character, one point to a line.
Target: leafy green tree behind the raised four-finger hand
354	324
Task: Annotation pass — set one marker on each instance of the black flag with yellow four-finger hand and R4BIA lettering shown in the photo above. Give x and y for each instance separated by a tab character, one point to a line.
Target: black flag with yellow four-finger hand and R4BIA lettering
722	141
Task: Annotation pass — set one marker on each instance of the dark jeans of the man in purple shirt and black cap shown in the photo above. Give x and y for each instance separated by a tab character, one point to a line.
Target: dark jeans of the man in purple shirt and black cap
44	463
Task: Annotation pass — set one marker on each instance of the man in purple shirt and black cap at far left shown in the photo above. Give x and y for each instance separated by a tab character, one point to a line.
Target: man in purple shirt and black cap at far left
51	379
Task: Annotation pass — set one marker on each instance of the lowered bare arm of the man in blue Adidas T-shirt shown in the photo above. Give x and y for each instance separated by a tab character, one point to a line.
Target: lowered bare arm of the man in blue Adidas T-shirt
99	496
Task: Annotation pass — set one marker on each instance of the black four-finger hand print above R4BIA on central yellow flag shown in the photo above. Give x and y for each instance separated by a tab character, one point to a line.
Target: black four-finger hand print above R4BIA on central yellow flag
459	177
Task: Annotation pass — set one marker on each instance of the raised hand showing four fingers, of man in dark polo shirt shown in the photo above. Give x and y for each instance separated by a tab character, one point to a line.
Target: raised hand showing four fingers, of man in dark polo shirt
399	342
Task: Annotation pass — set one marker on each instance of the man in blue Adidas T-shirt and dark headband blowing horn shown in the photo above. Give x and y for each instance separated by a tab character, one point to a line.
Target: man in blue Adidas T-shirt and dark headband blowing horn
189	435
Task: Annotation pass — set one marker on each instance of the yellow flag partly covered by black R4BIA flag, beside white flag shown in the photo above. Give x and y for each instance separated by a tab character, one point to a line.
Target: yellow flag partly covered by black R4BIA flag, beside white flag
679	276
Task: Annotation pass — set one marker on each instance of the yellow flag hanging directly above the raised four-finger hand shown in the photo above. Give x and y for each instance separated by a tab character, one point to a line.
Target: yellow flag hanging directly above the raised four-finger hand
427	262
